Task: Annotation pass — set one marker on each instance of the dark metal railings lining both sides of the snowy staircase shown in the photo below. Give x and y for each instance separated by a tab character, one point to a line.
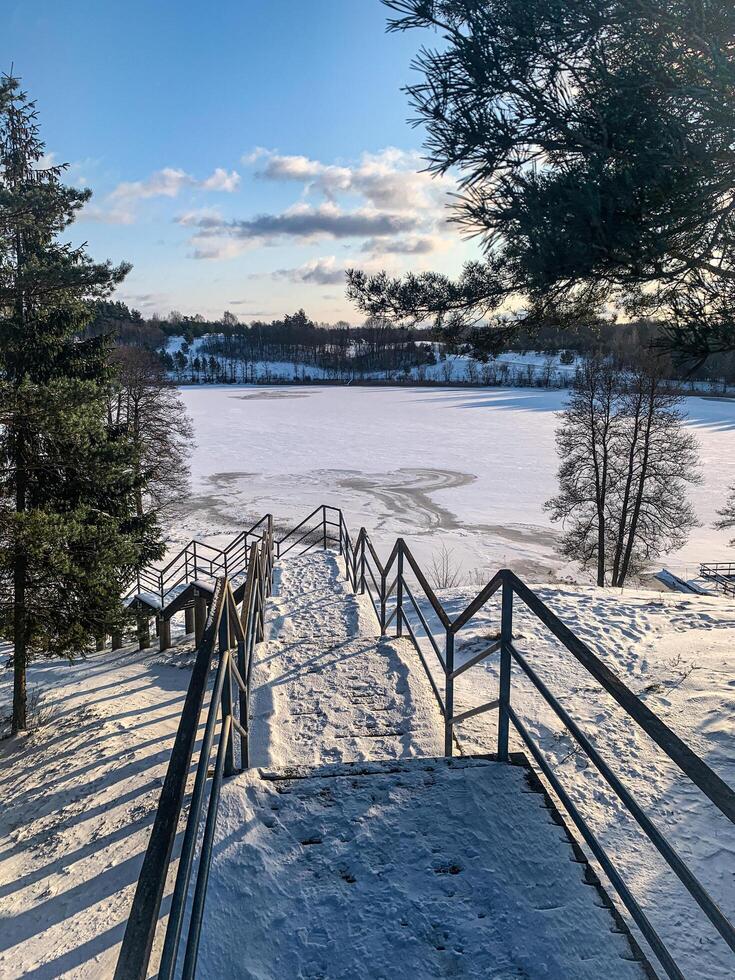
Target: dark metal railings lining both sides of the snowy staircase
400	594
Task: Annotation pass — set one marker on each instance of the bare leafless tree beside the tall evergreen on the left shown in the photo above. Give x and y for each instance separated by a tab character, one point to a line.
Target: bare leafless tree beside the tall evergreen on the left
149	409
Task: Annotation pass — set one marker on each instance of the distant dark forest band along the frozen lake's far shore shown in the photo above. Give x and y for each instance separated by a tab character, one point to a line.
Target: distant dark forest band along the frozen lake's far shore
196	350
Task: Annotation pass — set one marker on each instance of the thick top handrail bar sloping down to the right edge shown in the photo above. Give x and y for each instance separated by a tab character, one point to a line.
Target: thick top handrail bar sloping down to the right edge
715	788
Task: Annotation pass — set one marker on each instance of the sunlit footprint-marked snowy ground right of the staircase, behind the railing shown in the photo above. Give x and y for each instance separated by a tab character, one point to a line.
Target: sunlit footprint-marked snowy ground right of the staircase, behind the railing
675	653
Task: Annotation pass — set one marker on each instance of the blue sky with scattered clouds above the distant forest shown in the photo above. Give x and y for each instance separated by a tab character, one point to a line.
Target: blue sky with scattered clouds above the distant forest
241	152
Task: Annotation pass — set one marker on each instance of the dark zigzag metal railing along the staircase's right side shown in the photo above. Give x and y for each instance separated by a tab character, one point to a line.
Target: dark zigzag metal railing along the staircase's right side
393	599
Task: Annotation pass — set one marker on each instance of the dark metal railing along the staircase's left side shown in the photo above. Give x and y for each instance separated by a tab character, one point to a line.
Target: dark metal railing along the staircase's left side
232	637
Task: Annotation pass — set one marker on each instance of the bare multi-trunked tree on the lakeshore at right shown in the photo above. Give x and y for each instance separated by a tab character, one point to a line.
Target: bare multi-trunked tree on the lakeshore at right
626	462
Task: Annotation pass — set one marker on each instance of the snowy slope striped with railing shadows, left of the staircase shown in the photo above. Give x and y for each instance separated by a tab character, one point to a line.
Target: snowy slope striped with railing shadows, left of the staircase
79	796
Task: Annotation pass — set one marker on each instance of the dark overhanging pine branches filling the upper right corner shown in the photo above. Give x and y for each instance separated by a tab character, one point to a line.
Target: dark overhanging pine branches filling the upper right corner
595	145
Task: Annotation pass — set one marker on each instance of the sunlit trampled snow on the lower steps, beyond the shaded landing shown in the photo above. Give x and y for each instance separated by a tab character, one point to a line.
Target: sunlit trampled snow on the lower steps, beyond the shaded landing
327	689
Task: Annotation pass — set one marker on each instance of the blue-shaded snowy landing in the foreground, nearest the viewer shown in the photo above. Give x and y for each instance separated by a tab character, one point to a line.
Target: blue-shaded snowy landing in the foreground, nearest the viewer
414	869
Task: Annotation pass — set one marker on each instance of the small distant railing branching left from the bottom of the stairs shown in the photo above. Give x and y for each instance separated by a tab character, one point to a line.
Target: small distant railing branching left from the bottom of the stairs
200	560
